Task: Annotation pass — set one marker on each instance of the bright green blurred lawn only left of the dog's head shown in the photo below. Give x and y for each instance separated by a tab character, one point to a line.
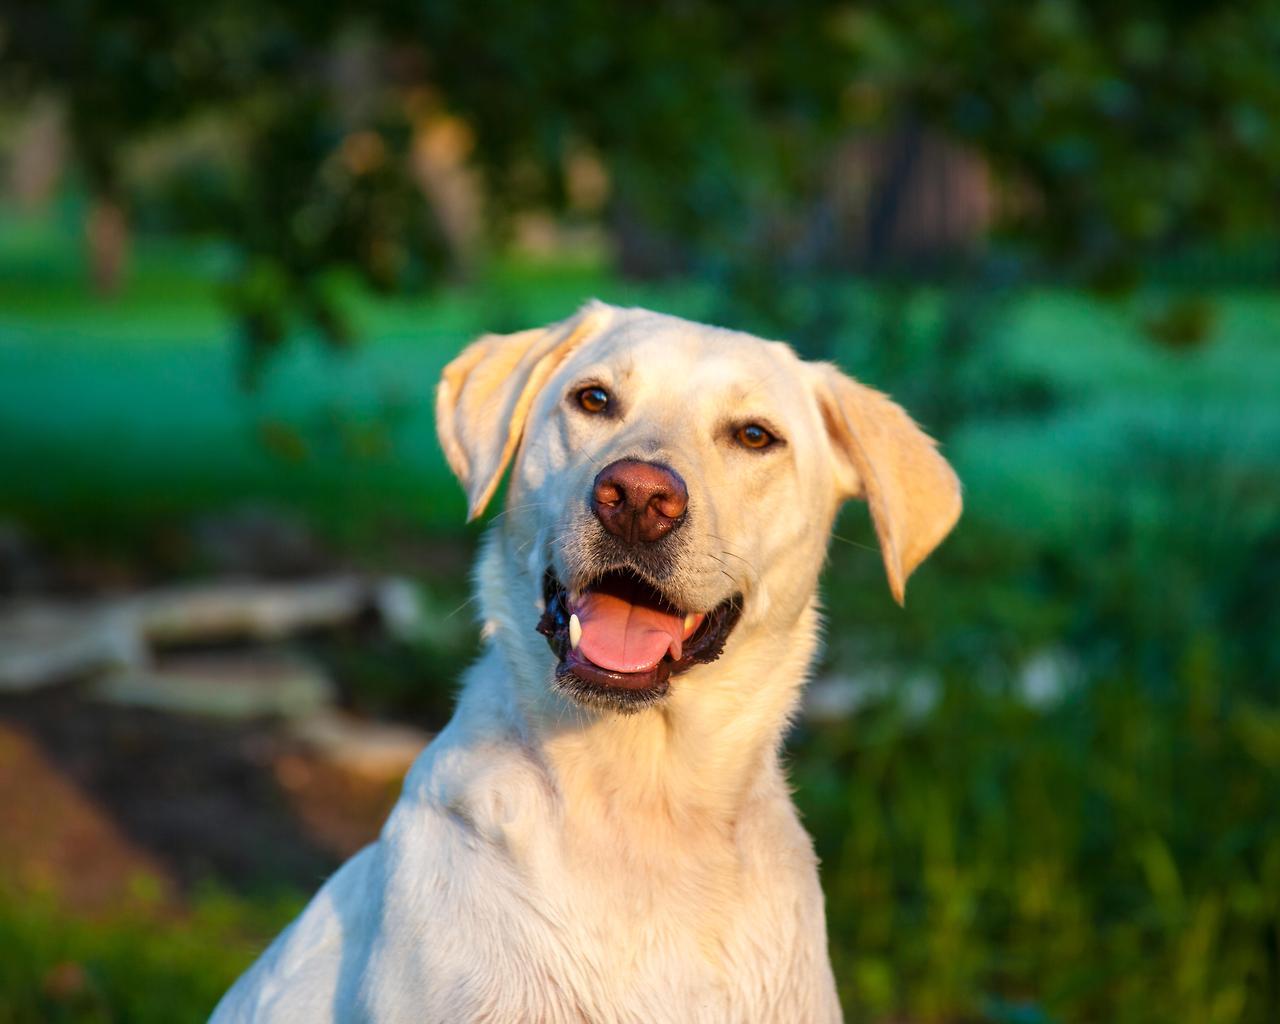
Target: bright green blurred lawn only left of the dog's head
126	414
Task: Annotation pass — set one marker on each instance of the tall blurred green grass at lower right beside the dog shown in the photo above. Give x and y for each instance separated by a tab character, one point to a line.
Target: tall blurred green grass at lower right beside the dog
1113	860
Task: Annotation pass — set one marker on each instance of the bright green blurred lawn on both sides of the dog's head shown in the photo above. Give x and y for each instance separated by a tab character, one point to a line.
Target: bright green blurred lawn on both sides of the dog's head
120	415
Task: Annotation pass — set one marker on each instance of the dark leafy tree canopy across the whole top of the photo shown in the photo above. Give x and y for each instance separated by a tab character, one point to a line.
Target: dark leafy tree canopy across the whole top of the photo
1114	131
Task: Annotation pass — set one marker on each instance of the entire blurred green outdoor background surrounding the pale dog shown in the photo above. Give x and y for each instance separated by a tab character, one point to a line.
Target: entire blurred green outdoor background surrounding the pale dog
240	240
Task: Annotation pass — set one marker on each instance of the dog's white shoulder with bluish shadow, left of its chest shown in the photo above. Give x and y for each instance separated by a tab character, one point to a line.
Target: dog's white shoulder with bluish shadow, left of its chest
468	821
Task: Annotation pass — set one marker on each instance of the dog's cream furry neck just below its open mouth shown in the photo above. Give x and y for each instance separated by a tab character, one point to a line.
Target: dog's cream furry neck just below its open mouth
692	762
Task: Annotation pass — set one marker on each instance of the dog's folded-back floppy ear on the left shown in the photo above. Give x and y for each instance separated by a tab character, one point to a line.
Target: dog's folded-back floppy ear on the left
483	399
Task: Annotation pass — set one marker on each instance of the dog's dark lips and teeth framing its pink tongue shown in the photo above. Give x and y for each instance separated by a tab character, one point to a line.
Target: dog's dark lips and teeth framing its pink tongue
611	688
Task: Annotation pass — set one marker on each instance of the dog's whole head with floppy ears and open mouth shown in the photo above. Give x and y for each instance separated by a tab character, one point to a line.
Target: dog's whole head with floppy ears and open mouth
674	483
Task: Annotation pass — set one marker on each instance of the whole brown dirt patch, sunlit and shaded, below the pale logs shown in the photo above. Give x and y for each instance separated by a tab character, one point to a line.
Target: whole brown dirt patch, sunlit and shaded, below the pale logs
98	797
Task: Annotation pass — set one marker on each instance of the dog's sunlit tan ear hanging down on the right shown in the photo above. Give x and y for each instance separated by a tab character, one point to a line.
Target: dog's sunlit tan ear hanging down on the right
884	458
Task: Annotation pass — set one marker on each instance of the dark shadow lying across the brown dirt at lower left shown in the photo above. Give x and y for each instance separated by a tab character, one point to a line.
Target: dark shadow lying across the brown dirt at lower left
207	799
